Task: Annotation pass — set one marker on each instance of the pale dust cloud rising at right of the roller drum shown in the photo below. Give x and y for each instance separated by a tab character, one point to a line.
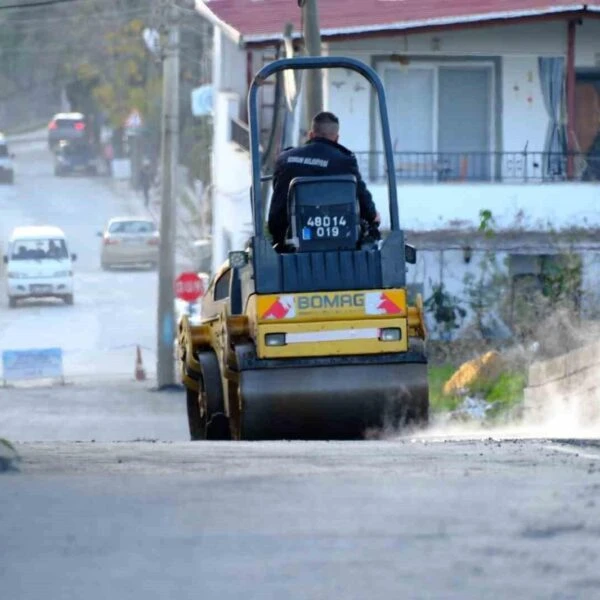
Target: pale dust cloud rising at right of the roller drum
568	409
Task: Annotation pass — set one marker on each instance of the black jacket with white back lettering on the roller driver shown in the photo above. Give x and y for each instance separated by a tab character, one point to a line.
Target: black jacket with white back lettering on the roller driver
318	156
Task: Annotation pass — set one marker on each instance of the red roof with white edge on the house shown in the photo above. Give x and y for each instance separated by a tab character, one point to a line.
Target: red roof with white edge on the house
257	22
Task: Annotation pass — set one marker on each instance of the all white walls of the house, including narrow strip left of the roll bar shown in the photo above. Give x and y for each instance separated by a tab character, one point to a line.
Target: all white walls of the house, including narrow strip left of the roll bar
422	206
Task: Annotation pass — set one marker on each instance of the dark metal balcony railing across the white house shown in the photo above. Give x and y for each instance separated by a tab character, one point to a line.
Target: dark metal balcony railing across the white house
509	167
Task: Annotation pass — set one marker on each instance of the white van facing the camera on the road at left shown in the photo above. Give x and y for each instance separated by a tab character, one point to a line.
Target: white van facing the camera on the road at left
39	265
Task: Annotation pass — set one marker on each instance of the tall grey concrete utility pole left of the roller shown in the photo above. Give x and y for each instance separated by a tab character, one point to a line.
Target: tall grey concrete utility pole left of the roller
165	368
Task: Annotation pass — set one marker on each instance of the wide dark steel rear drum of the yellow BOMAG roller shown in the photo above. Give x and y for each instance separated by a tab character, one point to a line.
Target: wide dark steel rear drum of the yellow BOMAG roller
331	402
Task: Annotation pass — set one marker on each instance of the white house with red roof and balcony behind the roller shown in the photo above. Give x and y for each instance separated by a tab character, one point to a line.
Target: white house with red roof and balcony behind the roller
487	95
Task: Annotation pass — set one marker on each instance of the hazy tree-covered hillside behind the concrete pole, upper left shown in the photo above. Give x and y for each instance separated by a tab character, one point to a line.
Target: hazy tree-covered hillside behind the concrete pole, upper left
90	56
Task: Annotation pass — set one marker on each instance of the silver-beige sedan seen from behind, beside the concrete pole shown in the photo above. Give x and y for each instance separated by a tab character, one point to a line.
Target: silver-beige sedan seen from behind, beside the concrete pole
129	241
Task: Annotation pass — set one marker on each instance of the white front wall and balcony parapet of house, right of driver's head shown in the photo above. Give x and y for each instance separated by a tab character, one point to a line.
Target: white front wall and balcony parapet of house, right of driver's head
524	123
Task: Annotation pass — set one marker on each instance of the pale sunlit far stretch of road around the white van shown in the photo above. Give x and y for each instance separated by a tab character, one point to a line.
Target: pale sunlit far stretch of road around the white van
113	311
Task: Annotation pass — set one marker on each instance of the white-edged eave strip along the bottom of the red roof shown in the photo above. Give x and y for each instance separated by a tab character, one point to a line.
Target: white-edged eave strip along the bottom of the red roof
425	24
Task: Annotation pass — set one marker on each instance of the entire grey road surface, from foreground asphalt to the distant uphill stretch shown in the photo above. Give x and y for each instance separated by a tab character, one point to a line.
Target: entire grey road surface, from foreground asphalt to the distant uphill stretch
110	500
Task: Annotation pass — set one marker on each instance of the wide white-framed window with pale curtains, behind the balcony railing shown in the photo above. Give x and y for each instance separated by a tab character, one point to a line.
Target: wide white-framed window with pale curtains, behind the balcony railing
441	120
